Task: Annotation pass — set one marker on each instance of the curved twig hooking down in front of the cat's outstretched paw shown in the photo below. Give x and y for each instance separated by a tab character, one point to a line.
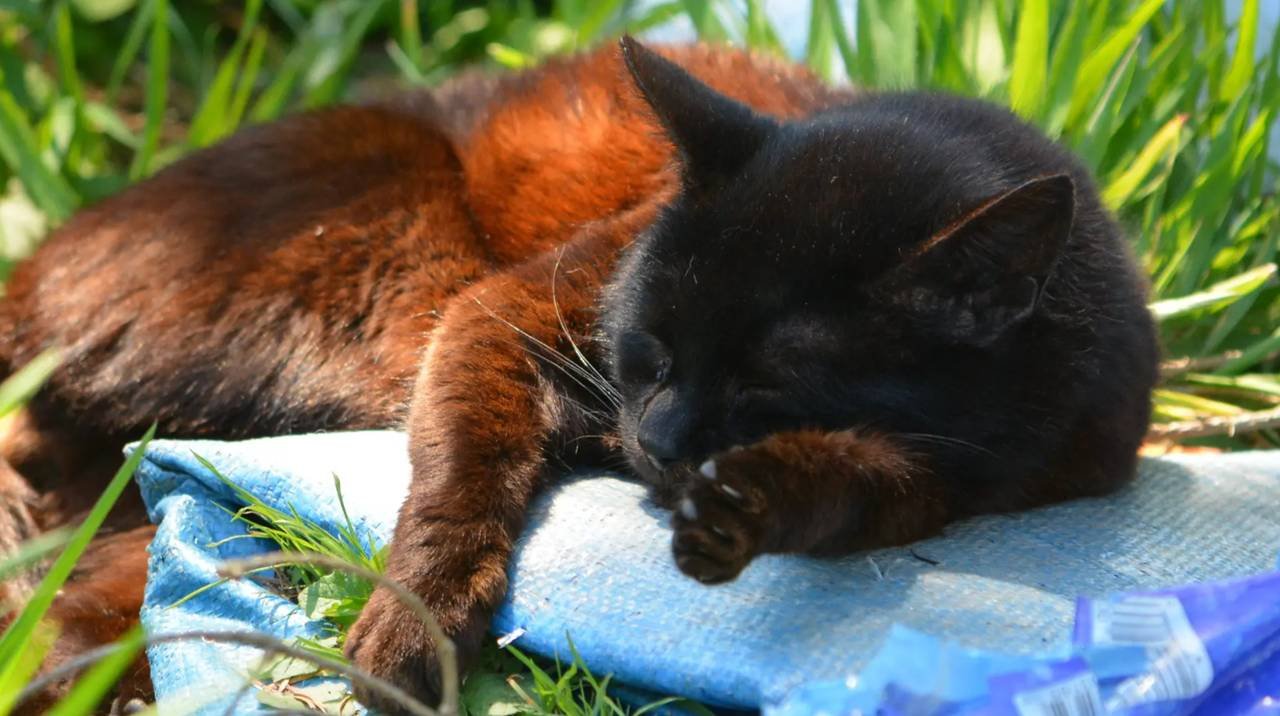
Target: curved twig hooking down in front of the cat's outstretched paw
445	650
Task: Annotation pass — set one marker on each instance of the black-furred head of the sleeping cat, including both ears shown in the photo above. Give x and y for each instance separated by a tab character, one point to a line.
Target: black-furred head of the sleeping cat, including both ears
926	266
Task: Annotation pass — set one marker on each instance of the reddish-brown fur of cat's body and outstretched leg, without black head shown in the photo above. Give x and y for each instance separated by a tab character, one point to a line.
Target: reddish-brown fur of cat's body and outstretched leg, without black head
364	268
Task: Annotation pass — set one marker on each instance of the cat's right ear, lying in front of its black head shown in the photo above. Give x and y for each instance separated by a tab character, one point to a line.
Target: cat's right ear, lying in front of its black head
985	273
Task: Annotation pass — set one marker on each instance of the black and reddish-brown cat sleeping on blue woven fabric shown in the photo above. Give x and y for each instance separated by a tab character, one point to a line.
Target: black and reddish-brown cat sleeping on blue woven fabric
812	321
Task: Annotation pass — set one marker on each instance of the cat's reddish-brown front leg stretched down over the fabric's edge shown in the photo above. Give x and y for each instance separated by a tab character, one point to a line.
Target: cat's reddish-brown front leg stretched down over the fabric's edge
488	408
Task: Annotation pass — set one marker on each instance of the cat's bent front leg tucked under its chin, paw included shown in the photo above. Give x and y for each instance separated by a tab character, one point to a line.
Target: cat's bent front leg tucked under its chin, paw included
804	491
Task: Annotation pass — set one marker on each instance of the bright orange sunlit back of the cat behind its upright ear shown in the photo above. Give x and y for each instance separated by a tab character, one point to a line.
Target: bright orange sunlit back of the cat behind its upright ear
573	142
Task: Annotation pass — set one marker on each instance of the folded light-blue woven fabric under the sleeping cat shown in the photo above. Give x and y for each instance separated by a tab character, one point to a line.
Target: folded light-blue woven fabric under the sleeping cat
595	565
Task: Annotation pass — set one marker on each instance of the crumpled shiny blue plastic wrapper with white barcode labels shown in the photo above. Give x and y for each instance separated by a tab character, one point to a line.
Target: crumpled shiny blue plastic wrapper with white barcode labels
1210	649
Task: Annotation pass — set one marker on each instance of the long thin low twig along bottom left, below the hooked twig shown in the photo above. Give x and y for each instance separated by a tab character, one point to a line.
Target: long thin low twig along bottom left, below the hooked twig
255	640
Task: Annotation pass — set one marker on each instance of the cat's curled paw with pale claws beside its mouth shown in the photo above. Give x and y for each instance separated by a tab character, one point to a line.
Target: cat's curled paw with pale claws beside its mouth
720	519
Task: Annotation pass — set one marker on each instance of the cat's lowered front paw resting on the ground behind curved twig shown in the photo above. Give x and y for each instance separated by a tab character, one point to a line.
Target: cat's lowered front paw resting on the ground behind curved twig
390	642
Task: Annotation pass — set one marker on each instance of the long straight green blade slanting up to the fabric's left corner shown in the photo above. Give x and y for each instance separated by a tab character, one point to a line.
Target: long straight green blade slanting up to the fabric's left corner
16	642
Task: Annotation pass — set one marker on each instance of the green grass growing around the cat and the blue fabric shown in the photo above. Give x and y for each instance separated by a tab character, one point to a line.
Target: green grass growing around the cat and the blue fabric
1171	103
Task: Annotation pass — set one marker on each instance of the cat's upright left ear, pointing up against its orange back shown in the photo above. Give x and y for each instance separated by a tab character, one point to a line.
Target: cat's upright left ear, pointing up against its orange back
715	135
